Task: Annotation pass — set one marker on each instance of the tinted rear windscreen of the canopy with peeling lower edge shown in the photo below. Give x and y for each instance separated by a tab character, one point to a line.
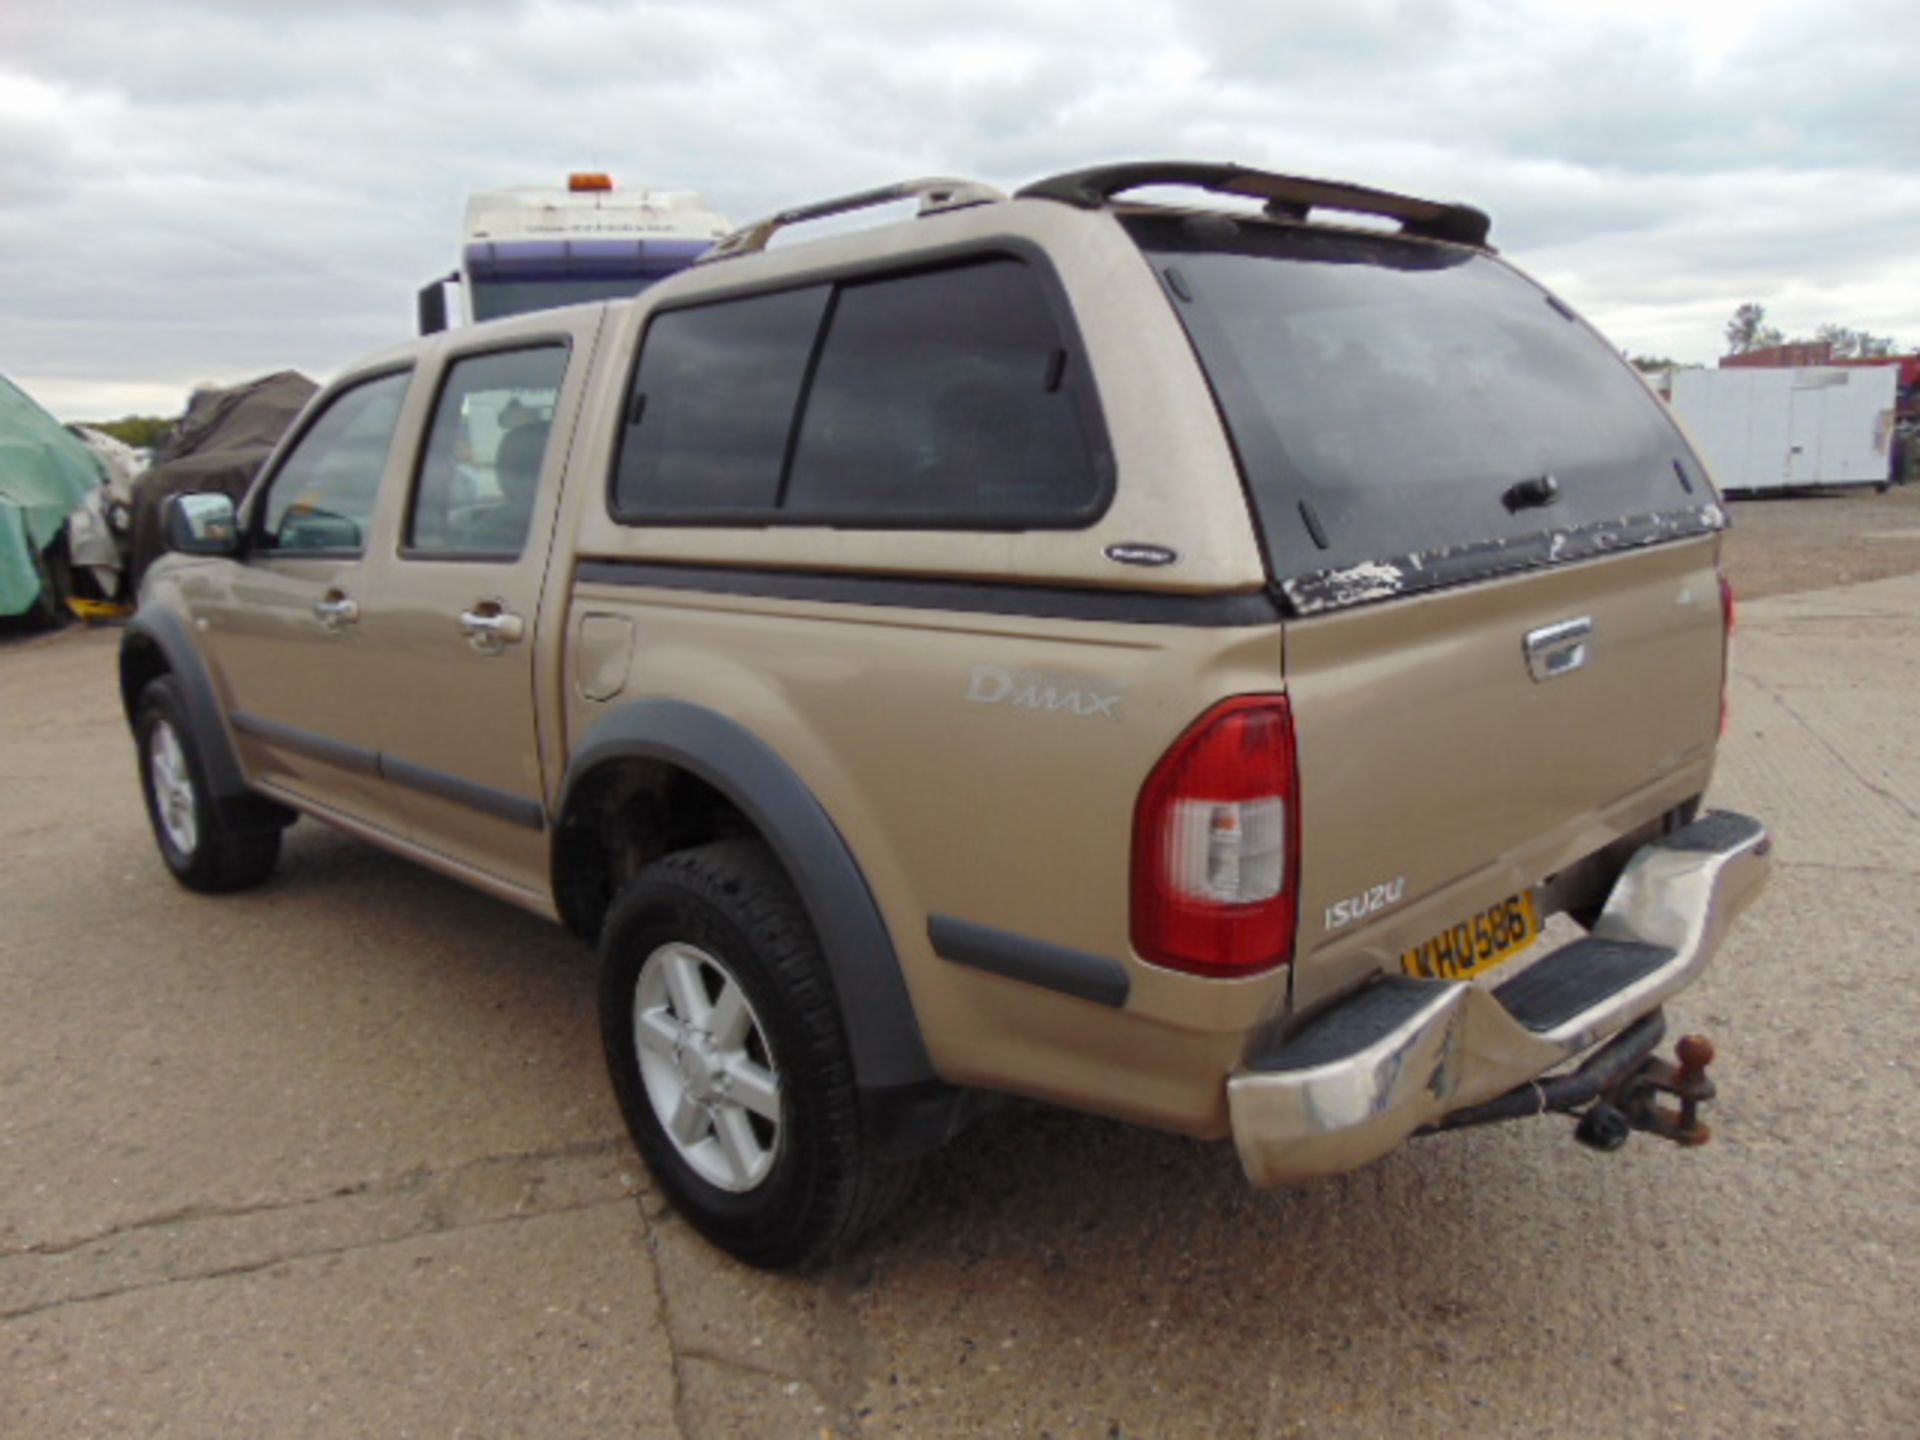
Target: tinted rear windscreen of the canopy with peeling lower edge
1412	416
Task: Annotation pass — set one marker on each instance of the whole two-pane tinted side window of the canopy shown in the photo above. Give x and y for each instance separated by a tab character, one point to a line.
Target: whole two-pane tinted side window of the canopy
930	400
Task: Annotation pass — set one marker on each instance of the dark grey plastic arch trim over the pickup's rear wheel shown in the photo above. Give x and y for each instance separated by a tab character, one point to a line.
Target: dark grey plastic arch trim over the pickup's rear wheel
882	1030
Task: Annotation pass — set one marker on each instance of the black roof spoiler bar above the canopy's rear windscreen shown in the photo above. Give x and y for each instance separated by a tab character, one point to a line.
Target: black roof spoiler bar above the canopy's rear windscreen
1289	197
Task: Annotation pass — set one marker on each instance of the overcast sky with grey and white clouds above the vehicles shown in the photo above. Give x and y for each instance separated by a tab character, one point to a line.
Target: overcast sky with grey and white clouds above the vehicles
212	189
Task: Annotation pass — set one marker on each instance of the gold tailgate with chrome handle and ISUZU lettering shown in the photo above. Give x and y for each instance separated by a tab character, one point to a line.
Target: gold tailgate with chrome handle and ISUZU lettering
1441	775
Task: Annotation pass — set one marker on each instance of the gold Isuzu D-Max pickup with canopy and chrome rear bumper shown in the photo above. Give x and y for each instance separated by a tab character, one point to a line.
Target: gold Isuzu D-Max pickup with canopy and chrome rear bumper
1159	661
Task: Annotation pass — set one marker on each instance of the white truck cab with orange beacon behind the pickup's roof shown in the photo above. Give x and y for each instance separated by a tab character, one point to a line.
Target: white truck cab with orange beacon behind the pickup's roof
537	249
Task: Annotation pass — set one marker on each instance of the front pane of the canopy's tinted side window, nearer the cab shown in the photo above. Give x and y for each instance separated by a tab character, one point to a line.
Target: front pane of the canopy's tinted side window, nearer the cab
713	404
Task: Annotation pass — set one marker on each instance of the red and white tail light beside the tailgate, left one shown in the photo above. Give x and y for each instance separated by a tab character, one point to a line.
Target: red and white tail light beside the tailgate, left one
1216	844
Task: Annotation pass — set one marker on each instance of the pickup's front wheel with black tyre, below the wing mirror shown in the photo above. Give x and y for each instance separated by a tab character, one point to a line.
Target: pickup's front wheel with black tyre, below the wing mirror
203	852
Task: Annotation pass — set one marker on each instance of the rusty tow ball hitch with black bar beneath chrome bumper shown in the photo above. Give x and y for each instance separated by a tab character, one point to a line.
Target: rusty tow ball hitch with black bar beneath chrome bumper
1621	1090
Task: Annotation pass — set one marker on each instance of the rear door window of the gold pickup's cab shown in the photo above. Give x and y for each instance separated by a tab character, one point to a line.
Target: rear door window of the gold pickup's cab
481	473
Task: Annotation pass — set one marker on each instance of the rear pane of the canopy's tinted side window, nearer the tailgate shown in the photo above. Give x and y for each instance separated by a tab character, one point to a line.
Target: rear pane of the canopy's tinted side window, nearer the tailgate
944	398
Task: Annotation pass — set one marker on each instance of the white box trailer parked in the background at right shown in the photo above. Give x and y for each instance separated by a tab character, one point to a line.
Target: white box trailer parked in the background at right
1790	429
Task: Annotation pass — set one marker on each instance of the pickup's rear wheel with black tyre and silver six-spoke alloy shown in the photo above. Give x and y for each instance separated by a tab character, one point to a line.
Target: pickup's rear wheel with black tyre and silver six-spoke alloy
731	1063
